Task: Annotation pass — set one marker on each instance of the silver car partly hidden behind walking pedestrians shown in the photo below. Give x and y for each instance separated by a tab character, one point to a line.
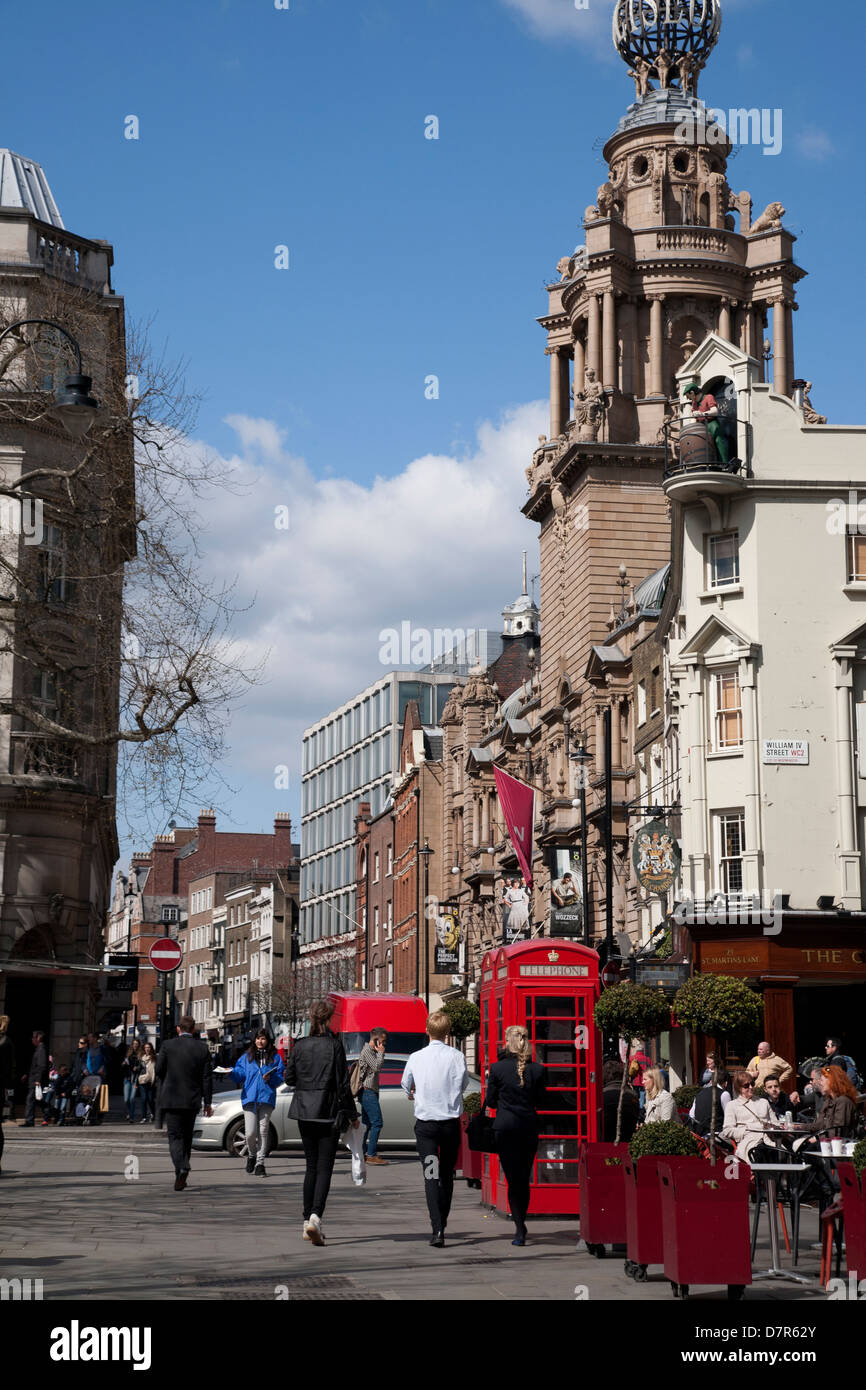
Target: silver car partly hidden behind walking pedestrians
224	1129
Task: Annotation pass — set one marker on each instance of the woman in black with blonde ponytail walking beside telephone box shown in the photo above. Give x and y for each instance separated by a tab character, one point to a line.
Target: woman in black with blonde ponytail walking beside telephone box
515	1090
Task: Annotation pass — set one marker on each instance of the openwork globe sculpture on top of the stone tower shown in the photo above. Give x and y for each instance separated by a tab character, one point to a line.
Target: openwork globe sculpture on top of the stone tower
669	41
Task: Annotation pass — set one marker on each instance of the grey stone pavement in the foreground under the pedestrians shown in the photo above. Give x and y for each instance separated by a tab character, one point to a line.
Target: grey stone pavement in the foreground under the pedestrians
94	1214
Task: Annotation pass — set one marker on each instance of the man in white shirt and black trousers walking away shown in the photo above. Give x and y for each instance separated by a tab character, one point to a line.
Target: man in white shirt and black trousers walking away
437	1077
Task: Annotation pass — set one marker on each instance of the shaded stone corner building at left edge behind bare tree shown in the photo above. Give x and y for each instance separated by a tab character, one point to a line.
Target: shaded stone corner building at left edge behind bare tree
62	615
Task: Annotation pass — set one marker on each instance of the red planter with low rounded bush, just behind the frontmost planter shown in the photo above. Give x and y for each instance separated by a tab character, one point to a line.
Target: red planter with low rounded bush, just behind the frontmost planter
644	1232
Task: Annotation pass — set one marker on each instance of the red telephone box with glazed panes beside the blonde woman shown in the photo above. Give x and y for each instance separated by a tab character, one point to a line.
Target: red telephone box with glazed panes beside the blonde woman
551	989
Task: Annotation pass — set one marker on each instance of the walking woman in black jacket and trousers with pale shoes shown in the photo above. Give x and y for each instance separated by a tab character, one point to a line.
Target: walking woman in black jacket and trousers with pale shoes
323	1106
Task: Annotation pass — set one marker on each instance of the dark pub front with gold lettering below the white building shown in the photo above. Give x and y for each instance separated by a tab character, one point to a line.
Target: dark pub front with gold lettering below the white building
811	970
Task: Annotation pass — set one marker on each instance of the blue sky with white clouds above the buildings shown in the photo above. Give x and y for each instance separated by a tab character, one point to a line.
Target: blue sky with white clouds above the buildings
305	127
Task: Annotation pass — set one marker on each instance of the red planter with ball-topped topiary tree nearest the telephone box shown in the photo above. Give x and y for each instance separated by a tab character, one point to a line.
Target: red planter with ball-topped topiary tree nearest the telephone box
629	1011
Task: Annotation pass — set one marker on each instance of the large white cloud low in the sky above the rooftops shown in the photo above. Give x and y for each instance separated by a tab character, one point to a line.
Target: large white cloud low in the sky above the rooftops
437	546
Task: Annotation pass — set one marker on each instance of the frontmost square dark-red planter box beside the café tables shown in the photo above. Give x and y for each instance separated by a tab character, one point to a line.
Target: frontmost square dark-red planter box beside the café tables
705	1217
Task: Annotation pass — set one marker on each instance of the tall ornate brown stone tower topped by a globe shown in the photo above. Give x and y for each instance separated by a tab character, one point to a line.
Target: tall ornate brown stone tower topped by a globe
671	255
